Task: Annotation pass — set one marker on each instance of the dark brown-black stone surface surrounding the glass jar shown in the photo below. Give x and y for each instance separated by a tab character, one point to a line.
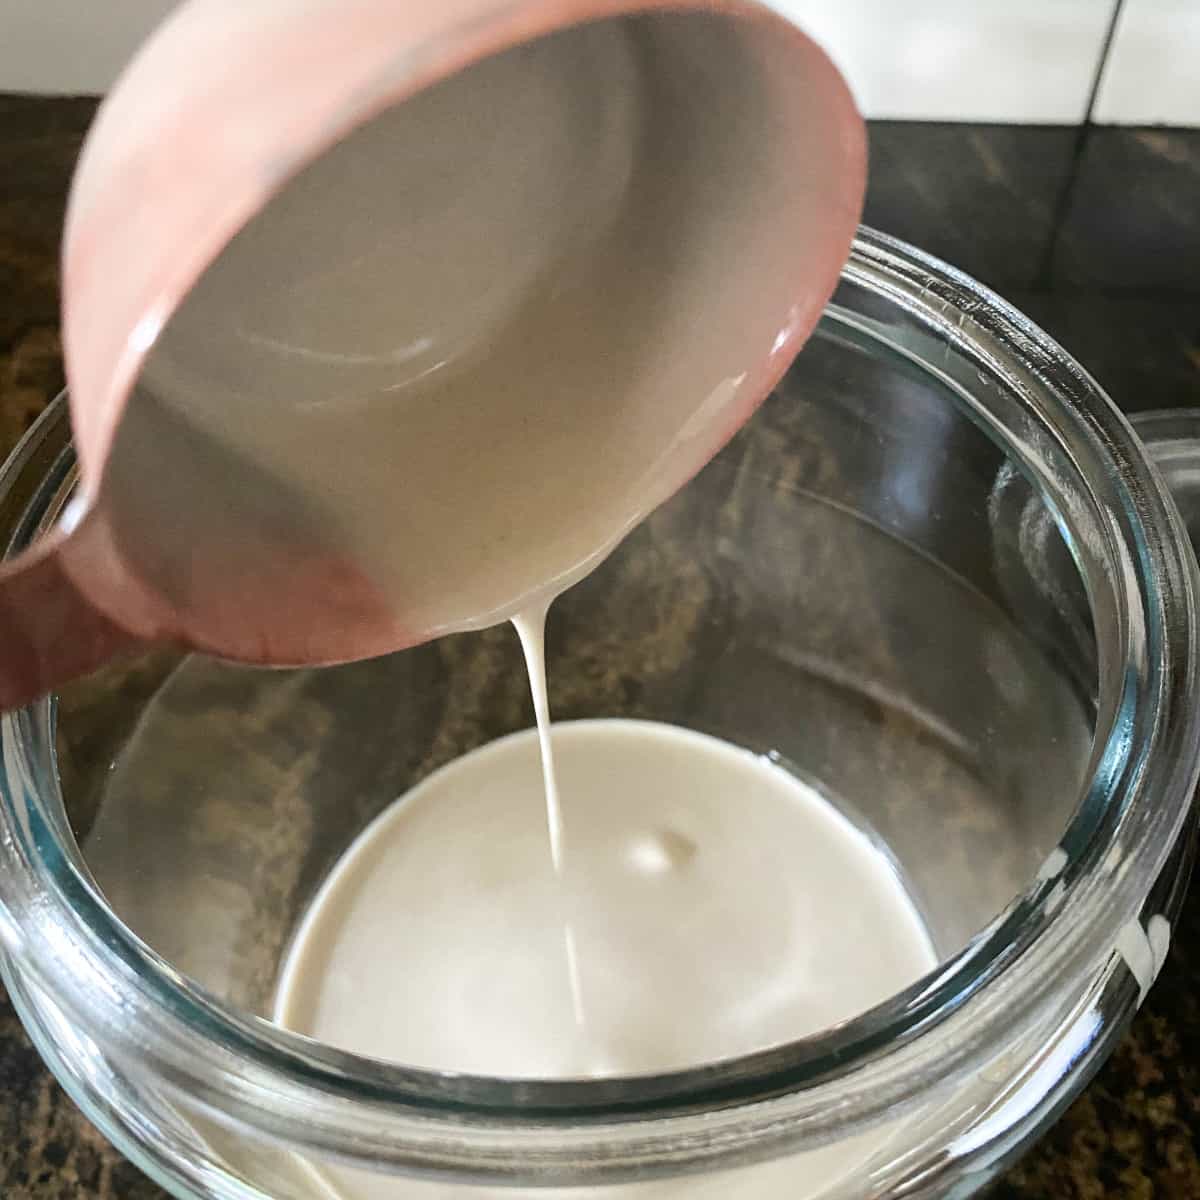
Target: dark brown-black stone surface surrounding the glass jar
1095	233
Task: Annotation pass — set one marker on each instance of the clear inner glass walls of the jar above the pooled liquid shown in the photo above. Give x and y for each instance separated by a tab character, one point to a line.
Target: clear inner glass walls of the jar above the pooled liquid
863	586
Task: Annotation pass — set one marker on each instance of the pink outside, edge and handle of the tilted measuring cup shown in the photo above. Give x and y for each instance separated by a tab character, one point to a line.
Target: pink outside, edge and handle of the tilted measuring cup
225	105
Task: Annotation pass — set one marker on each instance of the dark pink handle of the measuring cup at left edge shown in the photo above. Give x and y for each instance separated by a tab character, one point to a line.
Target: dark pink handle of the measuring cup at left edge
51	632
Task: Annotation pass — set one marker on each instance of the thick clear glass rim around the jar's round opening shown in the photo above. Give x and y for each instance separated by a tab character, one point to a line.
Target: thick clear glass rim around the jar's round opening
292	1089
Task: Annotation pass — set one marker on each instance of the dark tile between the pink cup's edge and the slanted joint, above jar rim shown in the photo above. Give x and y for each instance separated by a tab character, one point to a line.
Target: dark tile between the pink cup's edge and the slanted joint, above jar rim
982	197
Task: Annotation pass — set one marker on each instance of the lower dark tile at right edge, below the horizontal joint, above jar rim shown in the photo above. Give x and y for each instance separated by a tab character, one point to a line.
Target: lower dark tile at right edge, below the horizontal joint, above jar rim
1143	350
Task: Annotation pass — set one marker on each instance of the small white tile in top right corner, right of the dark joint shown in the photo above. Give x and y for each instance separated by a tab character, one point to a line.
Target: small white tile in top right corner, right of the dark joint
1153	76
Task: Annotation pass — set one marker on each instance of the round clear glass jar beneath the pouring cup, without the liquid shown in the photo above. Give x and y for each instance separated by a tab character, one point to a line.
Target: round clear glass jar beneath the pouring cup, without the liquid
937	577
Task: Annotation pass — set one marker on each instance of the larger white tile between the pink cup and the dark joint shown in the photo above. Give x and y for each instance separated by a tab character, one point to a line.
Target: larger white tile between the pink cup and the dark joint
983	61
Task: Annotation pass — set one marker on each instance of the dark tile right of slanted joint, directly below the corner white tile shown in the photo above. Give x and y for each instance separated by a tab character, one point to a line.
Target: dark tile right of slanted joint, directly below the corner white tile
1133	219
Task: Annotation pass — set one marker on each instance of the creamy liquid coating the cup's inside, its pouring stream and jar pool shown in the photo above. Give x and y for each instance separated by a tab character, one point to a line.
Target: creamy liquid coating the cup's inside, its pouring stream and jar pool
458	359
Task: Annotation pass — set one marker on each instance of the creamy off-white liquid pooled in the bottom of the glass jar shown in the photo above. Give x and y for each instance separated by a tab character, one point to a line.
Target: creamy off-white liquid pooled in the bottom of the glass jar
719	907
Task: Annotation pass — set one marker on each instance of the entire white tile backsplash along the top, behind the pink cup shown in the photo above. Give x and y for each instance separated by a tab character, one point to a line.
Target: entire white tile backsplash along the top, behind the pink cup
989	61
